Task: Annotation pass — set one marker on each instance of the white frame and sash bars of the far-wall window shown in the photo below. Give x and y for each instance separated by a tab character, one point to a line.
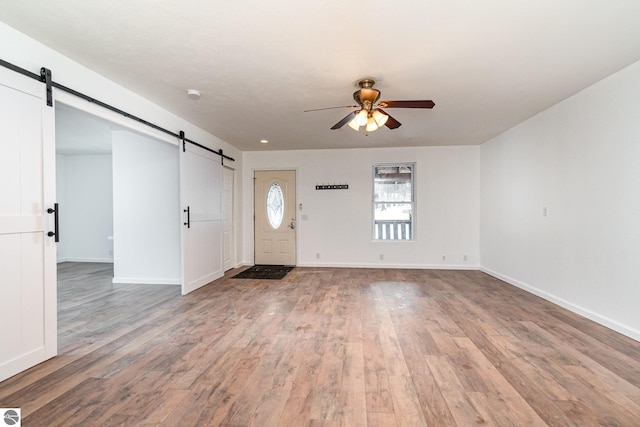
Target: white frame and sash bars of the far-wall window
393	230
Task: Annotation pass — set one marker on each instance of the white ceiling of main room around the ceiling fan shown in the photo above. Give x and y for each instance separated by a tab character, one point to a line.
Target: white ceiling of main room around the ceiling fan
488	65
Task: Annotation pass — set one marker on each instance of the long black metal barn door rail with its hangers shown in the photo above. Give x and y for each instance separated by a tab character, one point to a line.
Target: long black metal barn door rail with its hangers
45	77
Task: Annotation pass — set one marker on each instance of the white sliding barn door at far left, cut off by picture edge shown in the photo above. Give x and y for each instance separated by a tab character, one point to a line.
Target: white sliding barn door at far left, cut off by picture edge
28	318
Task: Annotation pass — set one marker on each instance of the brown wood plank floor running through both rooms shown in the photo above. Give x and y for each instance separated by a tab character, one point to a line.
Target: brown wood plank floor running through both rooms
325	347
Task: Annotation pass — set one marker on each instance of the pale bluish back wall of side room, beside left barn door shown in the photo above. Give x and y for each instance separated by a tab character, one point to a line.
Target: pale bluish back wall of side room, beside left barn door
85	198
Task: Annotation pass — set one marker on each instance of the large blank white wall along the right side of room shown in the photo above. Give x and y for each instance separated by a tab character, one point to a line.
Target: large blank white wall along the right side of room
579	160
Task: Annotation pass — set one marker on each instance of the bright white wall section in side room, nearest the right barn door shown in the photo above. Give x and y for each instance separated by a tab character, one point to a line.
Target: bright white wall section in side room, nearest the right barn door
146	203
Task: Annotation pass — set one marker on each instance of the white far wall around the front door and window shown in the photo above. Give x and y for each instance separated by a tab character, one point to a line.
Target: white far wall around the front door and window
339	221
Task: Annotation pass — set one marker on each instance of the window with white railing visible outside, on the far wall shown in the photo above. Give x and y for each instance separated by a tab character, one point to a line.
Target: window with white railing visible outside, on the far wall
393	201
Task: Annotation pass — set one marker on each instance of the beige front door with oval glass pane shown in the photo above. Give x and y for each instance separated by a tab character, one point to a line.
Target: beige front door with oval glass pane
275	217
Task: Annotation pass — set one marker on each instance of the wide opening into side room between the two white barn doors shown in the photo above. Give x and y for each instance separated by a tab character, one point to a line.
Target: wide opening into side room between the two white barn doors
115	189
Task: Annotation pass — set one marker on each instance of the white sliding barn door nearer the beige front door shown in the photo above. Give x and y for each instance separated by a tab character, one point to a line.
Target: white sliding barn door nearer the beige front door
201	199
